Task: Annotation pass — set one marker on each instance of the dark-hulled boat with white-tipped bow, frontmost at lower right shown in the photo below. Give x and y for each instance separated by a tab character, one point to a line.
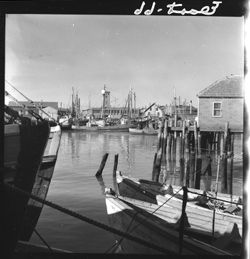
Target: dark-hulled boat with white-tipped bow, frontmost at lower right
140	223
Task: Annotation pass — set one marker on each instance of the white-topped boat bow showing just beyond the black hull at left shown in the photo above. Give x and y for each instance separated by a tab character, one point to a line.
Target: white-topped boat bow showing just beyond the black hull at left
42	183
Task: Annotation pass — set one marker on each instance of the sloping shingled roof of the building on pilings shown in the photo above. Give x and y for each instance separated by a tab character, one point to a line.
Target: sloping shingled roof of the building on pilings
230	86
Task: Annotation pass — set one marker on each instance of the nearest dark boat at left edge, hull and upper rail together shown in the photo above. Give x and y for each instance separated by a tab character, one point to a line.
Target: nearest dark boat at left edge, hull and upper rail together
24	145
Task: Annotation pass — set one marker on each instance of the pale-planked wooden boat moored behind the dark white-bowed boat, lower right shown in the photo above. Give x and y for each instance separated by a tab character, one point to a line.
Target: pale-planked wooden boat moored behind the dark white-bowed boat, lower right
202	221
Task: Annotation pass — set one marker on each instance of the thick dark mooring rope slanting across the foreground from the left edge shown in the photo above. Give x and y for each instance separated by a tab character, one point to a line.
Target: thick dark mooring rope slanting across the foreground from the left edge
88	220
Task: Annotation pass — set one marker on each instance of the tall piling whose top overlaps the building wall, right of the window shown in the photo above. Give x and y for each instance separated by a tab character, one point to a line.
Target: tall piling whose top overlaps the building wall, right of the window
224	161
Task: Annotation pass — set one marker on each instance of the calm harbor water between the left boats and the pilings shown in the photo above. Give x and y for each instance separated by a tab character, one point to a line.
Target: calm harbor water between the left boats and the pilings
75	187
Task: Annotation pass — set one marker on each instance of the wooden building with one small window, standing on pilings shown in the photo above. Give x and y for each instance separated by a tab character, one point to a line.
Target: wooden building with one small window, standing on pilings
222	102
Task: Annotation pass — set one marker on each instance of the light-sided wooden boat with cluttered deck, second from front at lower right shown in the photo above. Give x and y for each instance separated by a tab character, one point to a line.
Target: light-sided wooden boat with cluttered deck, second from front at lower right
203	220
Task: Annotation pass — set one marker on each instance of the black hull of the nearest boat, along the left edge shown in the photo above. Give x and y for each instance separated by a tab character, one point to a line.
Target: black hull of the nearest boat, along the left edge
33	140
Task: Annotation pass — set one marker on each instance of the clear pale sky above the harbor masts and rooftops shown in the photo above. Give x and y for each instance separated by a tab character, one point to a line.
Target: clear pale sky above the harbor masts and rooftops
47	55
